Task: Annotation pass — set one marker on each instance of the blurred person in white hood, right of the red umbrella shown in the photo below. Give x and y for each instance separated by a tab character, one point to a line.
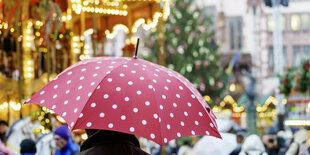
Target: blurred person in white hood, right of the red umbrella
253	146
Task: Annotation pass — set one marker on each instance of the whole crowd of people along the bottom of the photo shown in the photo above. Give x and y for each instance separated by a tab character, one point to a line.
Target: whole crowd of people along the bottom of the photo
110	142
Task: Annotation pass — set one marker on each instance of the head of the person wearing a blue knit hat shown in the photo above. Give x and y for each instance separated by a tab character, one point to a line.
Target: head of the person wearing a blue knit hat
61	136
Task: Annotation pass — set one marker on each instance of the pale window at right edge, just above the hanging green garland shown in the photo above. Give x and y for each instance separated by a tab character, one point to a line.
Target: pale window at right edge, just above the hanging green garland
301	52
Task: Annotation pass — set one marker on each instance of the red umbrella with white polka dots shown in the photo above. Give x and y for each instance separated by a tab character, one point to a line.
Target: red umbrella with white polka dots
128	95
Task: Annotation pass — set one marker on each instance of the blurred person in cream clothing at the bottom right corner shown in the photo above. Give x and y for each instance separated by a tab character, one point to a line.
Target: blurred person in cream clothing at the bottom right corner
299	145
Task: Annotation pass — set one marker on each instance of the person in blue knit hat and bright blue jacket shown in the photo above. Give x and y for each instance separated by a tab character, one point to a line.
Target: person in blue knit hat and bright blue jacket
64	144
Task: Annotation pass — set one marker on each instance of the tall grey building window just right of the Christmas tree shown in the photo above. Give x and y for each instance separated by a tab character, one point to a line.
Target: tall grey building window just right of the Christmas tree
235	32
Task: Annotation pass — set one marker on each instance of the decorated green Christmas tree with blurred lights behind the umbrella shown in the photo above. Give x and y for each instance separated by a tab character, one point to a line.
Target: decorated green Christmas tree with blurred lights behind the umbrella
191	49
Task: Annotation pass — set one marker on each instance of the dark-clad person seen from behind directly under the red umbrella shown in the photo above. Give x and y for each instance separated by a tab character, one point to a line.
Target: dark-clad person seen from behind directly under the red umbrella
110	143
